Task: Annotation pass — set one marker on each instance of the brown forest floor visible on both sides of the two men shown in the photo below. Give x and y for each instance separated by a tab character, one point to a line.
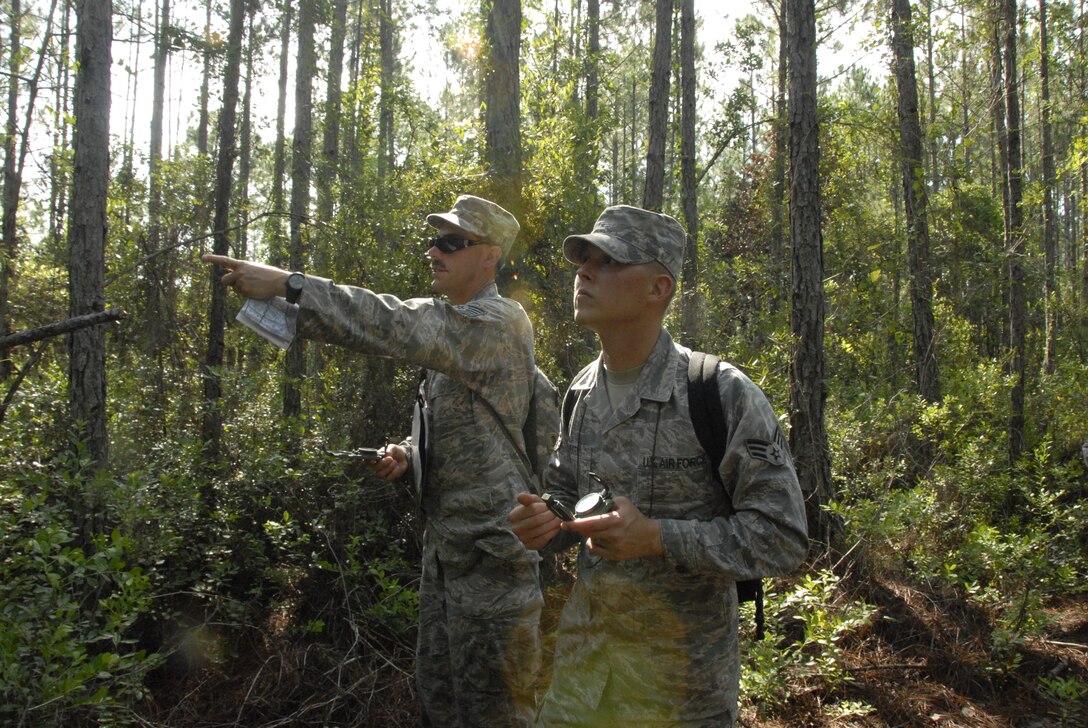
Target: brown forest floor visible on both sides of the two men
923	661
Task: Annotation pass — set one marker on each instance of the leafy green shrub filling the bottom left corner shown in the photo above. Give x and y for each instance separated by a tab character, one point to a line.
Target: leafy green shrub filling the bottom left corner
69	602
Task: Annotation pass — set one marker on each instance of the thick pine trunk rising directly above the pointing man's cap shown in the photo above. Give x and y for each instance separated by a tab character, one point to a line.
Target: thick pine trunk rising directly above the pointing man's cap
503	103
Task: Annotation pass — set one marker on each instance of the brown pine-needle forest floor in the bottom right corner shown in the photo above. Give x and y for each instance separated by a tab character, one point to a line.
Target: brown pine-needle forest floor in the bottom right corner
928	661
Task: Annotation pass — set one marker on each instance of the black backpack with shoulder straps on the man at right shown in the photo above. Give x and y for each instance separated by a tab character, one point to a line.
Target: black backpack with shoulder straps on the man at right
704	406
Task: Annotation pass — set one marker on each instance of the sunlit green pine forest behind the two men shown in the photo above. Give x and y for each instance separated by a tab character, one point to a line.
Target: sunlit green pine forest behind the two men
895	250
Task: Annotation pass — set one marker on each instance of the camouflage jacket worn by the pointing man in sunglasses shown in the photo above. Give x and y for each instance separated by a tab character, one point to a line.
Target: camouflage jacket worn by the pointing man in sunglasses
479	350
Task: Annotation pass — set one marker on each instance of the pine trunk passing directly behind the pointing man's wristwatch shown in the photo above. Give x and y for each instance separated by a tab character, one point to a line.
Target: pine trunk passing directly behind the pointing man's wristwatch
301	167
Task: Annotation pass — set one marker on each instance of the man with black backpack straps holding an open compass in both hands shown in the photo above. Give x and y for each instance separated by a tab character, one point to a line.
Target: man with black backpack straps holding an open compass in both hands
650	634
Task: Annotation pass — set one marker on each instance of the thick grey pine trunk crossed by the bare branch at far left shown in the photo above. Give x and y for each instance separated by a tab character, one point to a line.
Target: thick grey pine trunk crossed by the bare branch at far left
88	406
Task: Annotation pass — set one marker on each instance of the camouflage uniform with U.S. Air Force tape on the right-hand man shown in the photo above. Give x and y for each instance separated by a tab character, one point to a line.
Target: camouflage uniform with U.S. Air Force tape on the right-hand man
658	638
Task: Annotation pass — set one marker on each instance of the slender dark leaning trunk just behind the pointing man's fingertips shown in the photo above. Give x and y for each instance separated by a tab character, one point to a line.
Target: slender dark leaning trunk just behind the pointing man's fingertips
213	425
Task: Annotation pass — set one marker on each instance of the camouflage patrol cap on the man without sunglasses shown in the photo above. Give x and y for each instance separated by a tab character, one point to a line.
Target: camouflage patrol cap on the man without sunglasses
634	236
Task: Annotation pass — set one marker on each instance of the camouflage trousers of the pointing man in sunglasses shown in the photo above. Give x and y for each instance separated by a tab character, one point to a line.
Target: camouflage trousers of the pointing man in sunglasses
478	657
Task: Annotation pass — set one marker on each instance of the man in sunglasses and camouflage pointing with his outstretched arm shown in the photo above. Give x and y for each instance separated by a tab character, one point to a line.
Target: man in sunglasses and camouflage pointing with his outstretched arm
480	601
